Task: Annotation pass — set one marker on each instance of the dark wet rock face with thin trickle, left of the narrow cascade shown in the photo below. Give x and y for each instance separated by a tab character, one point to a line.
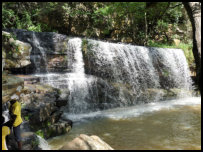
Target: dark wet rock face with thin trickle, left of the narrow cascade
49	51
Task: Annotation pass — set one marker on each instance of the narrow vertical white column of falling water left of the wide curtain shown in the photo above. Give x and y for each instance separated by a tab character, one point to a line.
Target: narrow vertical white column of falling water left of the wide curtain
77	81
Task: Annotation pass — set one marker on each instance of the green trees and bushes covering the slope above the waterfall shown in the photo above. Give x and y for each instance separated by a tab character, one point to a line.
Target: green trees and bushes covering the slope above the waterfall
143	22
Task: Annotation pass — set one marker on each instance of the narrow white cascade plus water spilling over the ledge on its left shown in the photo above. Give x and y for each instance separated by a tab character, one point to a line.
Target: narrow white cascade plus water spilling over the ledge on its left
76	81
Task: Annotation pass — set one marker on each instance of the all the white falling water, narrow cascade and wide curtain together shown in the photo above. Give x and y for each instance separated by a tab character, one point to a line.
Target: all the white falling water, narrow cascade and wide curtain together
138	67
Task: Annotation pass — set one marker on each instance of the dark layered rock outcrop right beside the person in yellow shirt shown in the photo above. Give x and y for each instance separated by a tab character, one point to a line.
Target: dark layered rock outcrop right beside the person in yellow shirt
41	109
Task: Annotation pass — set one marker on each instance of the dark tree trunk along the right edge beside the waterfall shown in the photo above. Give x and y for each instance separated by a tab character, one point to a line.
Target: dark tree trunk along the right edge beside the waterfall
194	12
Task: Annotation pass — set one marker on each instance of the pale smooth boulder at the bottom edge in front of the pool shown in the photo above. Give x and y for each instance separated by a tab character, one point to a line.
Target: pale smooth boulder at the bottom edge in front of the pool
85	142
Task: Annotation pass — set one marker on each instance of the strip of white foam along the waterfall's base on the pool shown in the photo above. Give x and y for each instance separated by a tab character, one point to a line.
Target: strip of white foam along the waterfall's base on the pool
135	111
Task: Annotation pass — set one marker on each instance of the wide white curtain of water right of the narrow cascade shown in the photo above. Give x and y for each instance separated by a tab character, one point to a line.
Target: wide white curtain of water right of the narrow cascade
141	67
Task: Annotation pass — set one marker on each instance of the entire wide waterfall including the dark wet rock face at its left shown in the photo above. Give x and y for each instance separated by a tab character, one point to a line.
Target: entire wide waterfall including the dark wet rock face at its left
101	75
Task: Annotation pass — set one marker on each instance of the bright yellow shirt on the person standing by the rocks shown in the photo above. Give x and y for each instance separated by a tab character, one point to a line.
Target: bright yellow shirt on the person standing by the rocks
16	110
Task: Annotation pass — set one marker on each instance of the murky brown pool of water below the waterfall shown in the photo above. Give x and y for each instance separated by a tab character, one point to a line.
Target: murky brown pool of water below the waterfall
177	127
